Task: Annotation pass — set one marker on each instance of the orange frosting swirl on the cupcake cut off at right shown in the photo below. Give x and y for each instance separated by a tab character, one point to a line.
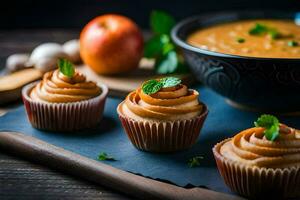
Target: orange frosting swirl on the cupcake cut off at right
251	148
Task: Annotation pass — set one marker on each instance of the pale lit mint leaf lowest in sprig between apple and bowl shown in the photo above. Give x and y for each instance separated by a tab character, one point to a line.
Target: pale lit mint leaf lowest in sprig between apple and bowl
167	63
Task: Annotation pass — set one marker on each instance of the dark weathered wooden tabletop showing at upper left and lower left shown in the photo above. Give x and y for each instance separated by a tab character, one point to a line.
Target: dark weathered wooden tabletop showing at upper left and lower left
20	179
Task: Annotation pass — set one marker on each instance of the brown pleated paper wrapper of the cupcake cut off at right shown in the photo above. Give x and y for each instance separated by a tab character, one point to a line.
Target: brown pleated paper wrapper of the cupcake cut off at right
256	182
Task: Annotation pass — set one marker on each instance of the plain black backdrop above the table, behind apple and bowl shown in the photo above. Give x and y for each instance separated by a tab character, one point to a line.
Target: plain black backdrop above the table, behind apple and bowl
76	13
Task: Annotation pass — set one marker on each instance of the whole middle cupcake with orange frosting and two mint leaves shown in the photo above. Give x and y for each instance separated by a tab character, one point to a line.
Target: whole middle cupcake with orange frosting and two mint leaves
162	116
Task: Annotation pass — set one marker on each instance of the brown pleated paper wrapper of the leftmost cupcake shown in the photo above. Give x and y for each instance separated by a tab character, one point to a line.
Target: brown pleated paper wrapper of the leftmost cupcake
64	116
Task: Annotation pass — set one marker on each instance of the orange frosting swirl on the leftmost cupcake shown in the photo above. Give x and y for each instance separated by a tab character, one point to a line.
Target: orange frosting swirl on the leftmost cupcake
58	88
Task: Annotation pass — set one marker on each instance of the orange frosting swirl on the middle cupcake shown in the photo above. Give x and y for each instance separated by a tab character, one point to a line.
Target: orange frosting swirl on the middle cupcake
168	104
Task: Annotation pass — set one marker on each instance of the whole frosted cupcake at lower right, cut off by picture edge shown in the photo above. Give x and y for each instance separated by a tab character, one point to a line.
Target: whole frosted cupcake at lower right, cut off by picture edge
262	162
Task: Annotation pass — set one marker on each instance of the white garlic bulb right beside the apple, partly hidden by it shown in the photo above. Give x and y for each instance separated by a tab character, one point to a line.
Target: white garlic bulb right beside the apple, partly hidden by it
71	48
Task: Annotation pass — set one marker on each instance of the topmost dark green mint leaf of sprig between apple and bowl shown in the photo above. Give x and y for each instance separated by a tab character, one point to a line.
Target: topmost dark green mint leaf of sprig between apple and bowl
161	22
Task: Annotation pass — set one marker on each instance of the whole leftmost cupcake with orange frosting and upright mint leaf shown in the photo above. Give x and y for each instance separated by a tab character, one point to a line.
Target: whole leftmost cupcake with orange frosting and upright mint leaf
64	100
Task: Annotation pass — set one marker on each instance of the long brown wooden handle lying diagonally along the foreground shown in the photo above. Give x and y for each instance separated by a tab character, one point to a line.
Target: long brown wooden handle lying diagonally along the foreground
98	172
